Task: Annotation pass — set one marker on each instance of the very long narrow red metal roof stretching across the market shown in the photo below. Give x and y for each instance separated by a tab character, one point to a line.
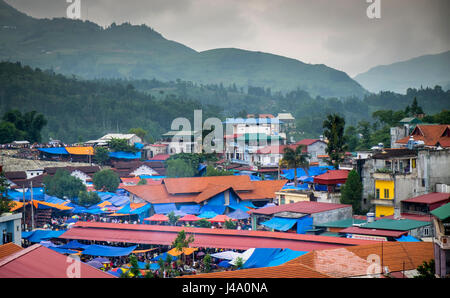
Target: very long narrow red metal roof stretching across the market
204	237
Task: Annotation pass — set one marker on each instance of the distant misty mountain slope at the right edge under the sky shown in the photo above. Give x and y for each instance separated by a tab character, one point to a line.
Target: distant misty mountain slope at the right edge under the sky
424	71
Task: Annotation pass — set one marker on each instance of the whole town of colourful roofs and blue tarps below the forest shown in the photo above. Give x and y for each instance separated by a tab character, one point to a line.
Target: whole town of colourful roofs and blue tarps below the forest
260	217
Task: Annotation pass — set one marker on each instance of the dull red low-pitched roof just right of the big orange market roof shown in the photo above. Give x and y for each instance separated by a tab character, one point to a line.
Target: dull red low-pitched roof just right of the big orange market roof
300	207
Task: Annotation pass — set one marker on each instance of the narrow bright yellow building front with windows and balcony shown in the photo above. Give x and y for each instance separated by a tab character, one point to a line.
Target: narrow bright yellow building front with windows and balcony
384	196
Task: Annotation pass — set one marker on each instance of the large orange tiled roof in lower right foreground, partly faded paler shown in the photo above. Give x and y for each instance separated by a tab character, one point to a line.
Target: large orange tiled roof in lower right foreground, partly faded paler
353	260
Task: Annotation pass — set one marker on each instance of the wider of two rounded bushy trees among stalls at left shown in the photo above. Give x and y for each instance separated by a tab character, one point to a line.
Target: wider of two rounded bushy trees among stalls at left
62	184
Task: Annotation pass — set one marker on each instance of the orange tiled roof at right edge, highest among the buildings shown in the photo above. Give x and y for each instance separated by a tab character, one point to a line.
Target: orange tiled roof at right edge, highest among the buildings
430	135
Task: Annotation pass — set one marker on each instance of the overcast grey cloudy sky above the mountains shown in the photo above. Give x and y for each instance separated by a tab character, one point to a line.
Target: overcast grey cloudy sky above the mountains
337	33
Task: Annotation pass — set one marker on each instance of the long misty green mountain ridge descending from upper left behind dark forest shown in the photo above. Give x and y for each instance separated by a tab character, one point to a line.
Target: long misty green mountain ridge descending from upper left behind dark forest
84	49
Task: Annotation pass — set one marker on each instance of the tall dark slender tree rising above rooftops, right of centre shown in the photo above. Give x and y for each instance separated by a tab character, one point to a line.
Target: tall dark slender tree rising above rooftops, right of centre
334	132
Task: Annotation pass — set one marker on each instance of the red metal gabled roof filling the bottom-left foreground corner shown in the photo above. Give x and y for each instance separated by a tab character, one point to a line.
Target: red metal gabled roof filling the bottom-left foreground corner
41	262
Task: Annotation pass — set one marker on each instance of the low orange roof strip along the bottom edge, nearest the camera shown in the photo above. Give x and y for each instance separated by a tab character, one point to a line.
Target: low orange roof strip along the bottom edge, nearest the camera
282	271
